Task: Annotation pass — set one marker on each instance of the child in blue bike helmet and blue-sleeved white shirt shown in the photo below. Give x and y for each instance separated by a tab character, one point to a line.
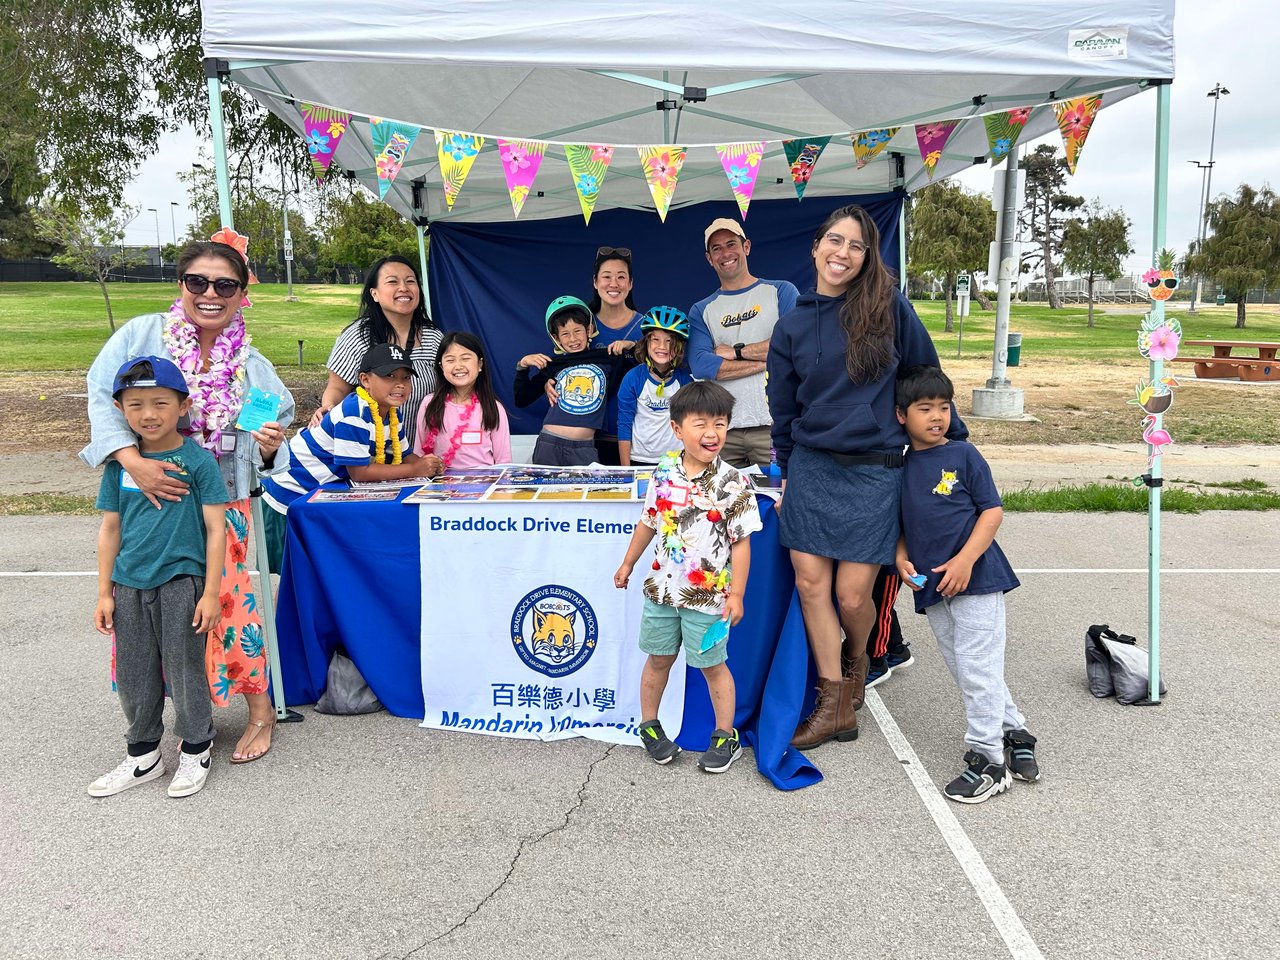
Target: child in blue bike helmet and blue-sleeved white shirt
644	397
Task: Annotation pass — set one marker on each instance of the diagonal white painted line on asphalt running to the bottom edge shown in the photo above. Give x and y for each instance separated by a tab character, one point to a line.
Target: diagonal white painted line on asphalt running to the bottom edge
1002	912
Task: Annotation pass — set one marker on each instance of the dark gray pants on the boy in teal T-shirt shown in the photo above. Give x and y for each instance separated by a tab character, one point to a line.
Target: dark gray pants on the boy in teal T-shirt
154	643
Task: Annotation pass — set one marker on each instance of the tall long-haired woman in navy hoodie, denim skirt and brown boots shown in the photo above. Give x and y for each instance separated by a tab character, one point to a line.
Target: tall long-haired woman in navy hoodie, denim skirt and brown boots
833	367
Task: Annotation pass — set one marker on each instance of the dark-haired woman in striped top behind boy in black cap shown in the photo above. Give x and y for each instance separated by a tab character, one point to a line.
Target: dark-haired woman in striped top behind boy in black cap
391	312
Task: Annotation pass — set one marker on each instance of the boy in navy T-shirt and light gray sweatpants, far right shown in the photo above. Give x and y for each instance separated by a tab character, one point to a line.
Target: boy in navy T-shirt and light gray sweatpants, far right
950	515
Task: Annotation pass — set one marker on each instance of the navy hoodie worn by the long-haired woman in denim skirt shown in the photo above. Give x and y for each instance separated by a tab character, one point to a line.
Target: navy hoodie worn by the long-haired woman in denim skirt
812	399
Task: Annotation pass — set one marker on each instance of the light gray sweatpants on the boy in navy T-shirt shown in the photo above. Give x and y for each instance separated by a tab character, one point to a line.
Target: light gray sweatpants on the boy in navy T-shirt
971	634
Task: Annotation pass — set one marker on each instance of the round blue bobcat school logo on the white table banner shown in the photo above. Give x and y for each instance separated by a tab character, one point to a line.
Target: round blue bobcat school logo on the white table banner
555	630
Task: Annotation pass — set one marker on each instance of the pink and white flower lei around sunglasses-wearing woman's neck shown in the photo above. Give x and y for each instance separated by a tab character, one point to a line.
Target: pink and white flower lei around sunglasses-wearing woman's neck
218	394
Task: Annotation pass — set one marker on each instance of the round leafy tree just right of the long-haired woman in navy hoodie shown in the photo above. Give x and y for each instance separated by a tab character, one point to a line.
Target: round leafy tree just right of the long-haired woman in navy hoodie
950	234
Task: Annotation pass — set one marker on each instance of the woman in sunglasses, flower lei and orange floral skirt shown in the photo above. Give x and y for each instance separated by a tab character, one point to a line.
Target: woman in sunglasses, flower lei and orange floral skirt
204	333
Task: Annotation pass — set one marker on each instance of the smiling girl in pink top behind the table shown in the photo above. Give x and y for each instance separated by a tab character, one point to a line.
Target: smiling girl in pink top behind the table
464	426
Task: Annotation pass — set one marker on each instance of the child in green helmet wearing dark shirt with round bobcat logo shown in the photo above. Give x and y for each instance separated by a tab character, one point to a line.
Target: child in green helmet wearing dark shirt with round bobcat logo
584	381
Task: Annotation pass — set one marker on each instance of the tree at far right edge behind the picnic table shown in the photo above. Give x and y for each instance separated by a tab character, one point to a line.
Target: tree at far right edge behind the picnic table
1242	252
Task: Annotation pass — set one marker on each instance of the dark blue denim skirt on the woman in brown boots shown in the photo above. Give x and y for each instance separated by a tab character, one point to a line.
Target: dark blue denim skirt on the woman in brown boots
843	513
